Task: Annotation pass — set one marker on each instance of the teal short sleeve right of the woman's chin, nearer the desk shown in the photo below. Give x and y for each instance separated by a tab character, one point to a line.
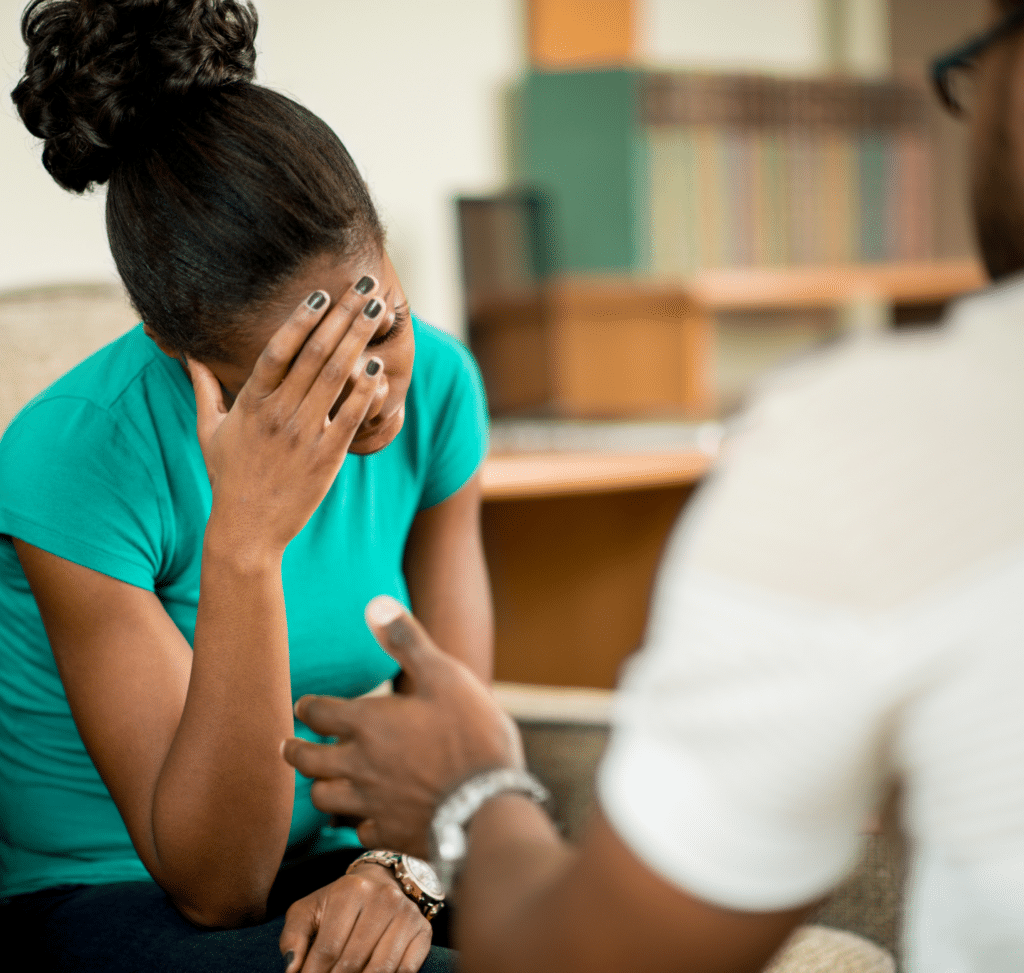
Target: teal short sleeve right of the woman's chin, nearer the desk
458	411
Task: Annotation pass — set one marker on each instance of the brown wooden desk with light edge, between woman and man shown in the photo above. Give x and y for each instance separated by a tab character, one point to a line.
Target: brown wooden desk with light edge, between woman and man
574	541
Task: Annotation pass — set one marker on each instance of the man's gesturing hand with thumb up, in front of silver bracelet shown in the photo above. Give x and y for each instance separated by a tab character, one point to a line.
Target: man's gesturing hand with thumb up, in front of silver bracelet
397	757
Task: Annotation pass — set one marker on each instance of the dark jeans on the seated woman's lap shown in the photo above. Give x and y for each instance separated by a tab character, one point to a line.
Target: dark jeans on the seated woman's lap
132	927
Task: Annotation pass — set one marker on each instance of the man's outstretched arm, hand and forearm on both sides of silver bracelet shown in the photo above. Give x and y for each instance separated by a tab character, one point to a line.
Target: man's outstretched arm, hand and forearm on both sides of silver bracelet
527	902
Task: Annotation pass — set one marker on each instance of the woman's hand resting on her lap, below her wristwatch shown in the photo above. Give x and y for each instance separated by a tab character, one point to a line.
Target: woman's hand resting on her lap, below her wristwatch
364	921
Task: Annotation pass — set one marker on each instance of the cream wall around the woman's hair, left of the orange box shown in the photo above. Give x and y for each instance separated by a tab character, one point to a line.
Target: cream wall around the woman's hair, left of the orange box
414	89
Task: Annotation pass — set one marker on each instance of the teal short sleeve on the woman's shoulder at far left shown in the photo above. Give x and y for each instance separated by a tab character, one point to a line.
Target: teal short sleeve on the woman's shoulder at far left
77	484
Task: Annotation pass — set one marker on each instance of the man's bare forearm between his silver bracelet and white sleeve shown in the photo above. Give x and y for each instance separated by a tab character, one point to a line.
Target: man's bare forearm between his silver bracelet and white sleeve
528	903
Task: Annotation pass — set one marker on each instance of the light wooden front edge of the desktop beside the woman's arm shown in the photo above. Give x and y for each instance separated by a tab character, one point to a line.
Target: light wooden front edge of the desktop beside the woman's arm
519	476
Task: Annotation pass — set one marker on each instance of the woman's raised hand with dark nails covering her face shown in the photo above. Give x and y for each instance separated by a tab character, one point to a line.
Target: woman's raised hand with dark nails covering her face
273	456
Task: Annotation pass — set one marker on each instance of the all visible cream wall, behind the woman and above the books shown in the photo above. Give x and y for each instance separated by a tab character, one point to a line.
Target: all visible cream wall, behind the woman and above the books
416	89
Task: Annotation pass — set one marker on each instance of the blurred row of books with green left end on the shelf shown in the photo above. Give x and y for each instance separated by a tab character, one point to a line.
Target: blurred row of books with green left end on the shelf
665	174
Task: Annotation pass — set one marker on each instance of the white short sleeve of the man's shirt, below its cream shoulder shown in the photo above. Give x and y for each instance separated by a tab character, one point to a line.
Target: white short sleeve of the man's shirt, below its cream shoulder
749	745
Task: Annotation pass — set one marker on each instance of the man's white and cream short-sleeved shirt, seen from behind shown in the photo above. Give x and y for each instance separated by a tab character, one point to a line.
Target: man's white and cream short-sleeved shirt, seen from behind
842	608
